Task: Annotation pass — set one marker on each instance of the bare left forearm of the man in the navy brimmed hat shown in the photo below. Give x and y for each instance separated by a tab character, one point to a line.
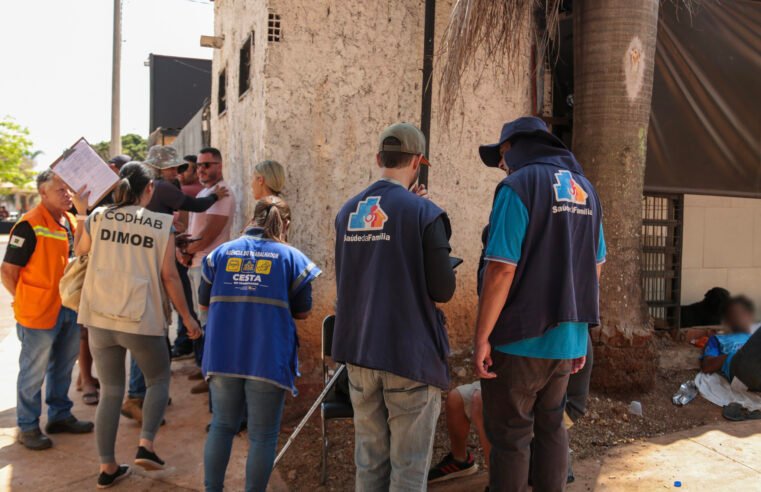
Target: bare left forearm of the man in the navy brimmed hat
498	278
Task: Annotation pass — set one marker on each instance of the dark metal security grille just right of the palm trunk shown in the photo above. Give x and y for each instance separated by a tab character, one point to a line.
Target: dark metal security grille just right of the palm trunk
662	218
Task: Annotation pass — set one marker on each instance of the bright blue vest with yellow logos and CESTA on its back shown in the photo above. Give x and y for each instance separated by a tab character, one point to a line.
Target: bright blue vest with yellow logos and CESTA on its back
250	332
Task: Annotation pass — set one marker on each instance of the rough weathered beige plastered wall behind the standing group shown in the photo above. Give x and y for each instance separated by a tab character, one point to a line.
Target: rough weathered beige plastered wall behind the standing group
345	69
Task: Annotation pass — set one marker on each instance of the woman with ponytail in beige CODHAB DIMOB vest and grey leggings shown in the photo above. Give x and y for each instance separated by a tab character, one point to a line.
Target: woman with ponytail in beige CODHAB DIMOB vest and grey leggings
130	271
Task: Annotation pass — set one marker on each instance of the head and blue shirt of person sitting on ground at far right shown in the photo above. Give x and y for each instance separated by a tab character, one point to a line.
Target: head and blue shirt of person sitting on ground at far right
720	349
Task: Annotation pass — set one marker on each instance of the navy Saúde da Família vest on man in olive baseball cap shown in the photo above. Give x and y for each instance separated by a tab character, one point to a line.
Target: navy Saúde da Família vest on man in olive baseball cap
385	319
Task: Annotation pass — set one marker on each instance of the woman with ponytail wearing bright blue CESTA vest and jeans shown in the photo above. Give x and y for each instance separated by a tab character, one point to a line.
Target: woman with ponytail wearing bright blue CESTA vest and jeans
254	287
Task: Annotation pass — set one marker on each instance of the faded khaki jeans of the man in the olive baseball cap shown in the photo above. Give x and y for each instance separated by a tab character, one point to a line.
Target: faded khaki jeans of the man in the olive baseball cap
394	426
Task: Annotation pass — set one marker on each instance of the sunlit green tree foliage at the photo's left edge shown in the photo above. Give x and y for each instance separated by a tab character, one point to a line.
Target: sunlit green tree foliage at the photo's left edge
16	156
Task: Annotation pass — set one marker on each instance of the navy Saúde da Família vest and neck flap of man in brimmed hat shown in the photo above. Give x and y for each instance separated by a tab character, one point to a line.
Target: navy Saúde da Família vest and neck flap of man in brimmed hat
556	277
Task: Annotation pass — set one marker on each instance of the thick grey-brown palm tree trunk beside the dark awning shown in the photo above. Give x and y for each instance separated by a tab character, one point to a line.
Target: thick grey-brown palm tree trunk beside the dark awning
614	50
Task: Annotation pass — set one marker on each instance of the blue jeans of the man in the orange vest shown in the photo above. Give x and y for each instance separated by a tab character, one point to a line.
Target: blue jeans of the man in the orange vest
47	354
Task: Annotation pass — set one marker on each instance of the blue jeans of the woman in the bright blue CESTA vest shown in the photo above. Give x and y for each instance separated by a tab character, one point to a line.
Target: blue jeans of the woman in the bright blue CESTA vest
264	407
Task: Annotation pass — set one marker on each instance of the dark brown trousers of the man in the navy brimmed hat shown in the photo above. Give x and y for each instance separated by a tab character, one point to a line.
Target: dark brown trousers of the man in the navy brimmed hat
527	398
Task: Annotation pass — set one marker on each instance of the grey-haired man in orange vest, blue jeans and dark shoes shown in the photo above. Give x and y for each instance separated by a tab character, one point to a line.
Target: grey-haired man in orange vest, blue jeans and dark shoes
40	246
